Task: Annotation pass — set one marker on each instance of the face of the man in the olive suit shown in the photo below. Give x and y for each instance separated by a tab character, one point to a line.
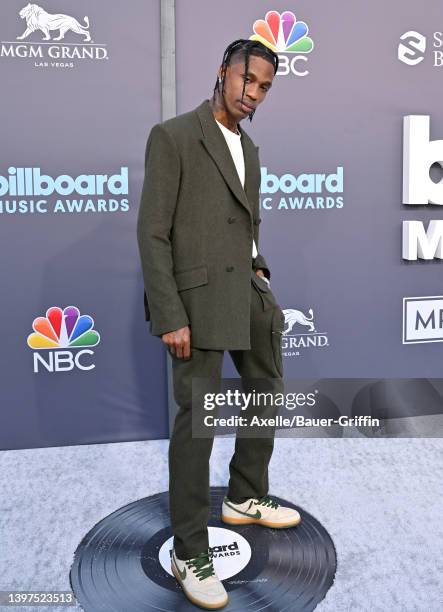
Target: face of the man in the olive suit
258	81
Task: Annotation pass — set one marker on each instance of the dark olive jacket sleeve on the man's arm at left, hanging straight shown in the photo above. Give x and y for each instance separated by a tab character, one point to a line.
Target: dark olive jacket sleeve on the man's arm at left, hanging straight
155	219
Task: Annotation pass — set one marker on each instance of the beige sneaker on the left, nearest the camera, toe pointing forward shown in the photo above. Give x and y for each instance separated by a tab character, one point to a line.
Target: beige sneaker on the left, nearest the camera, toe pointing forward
199	581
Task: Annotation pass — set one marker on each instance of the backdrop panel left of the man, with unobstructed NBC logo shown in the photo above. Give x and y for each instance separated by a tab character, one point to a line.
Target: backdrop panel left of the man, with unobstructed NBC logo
80	91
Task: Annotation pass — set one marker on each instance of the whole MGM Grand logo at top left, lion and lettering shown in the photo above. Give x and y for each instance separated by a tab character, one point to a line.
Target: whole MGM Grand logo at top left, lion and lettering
41	28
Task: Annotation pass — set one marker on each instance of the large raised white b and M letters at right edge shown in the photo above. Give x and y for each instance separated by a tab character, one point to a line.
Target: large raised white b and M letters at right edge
419	154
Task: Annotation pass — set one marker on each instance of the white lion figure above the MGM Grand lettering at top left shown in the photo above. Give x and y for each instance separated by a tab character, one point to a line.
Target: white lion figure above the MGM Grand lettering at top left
38	19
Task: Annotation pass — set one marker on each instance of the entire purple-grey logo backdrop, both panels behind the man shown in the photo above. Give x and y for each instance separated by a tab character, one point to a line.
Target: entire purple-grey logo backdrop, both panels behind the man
351	146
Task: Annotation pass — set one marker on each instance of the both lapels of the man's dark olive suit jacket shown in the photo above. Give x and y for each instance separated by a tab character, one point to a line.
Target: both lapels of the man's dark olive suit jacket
216	145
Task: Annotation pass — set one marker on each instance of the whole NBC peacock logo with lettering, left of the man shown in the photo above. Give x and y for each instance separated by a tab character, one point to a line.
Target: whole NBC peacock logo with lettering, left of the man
63	330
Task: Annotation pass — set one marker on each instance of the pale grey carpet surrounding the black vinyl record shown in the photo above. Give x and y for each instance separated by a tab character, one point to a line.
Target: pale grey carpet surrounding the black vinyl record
380	500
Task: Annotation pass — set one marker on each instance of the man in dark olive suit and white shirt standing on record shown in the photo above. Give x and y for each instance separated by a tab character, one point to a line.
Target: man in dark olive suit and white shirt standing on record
206	291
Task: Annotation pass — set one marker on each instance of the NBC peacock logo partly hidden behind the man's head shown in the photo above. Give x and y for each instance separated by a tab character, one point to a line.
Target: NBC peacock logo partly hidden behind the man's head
283	34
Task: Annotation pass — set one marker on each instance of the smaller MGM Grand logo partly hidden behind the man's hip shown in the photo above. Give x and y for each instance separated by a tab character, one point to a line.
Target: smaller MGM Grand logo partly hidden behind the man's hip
293	336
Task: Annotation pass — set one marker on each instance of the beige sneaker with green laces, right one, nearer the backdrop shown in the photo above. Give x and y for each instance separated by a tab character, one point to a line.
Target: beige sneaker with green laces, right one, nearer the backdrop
263	511
